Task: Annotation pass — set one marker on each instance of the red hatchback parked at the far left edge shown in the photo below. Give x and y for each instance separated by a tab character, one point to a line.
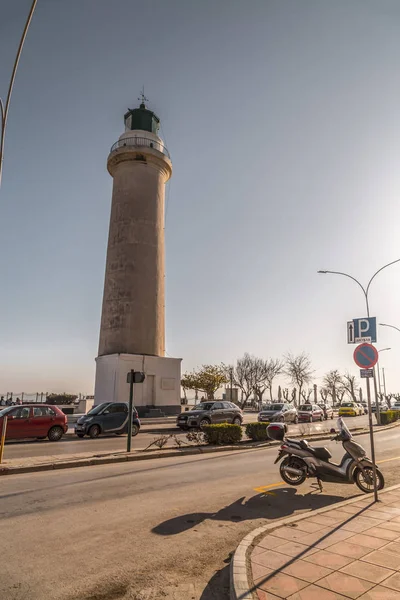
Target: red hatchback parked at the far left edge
34	421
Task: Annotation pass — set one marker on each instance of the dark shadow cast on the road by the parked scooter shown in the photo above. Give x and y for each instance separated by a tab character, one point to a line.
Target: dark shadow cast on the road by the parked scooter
283	503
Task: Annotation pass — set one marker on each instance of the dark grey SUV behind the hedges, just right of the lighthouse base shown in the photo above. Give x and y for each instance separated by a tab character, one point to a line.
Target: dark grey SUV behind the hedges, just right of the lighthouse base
212	412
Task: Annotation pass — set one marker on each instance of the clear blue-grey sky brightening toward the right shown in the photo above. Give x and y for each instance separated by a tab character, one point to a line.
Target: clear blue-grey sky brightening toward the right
282	118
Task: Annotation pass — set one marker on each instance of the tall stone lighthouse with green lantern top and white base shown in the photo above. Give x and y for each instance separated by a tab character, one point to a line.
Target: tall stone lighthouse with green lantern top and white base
132	332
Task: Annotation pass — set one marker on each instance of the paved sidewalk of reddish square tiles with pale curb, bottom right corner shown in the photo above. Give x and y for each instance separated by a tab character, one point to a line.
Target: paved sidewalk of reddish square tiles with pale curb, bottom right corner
350	551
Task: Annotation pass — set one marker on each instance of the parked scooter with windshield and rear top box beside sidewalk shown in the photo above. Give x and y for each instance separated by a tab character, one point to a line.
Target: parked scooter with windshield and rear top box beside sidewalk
303	461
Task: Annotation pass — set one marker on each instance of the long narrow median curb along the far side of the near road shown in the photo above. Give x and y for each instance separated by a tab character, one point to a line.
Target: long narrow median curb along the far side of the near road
119	457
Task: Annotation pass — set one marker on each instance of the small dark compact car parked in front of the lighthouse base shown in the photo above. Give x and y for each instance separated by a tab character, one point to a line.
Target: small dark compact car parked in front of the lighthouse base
109	417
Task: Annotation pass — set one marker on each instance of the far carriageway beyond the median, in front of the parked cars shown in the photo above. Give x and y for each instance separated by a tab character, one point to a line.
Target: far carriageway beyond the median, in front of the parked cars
71	444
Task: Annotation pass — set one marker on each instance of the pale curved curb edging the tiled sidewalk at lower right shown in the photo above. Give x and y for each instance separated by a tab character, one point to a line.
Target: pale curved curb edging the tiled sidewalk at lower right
241	583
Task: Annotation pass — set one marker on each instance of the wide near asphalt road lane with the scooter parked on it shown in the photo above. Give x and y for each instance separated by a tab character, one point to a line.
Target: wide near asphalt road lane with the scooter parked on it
159	529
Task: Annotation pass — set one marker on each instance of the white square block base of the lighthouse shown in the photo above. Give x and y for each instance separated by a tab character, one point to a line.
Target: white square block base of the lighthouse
160	393
